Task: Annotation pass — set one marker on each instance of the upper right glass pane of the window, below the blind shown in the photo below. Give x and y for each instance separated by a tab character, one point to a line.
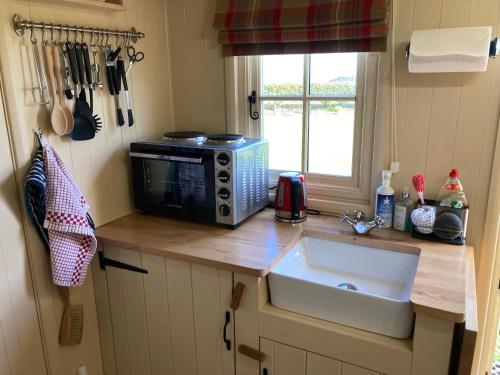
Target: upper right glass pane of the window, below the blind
333	74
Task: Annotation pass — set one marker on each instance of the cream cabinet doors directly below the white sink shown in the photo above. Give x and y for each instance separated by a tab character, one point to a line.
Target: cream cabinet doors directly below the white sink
281	359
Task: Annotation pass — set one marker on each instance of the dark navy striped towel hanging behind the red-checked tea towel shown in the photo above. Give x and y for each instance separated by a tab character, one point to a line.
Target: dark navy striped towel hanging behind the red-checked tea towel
34	196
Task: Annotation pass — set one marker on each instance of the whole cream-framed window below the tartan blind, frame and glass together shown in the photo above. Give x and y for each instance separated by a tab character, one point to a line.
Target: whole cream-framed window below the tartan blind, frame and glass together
318	113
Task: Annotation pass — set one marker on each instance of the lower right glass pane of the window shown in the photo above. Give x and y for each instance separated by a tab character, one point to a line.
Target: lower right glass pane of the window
331	137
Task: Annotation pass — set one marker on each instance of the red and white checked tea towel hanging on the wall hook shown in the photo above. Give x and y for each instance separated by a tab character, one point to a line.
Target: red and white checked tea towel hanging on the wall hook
71	238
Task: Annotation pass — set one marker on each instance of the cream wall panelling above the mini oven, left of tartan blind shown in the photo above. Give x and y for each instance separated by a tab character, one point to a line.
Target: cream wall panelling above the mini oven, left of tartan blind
197	73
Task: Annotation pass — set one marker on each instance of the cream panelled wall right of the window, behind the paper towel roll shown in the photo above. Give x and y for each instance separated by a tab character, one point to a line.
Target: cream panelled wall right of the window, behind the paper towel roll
443	120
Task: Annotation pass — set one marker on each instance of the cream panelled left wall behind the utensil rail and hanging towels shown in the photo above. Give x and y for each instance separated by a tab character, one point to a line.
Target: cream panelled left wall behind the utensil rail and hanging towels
100	166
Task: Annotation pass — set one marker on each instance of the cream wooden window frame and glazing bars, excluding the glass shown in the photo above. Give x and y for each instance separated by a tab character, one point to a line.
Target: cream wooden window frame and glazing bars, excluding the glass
326	193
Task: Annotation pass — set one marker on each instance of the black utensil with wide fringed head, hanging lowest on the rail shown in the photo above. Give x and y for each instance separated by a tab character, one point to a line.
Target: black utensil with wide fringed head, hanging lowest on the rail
84	124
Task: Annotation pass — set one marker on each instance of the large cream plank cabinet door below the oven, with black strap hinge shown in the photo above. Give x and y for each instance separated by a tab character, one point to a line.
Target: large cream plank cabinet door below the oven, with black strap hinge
169	321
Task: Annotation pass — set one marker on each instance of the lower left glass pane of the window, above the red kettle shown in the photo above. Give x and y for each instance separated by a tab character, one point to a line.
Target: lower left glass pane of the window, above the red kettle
283	128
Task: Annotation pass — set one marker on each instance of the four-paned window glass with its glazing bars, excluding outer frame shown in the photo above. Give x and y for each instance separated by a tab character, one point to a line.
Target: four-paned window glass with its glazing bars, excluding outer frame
308	111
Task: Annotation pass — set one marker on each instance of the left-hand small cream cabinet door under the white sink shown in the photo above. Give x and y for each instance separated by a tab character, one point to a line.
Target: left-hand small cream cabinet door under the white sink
282	359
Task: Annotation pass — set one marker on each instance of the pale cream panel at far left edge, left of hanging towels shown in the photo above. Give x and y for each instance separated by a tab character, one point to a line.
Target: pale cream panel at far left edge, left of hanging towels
21	351
